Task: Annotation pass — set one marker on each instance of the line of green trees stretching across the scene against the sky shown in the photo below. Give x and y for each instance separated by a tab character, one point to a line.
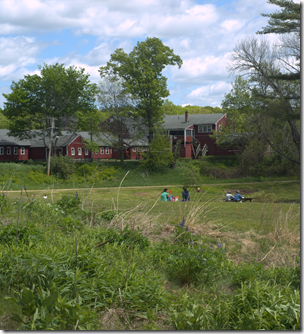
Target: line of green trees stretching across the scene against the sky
263	105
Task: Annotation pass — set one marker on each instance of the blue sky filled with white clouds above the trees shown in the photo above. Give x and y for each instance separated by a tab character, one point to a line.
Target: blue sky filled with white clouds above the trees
85	33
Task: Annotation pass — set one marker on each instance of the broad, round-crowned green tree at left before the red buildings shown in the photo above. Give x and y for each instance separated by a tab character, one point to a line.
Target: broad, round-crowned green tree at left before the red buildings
55	96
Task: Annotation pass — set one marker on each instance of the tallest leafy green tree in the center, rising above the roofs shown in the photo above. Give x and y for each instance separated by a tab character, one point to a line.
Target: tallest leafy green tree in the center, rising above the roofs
141	71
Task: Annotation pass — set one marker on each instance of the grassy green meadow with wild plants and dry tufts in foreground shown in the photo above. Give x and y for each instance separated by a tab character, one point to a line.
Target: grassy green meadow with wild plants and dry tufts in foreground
115	257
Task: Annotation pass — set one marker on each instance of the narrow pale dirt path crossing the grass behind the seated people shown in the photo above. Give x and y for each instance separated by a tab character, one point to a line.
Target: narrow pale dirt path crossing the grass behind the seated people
168	186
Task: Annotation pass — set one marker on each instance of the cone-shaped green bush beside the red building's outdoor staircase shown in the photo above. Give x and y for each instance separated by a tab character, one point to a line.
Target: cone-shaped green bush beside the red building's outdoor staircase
159	155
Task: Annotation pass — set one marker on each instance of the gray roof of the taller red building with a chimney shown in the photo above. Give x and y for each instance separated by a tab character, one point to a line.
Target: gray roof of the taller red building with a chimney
178	121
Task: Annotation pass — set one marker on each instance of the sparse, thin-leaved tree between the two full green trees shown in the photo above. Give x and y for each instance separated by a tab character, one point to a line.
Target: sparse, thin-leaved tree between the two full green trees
117	103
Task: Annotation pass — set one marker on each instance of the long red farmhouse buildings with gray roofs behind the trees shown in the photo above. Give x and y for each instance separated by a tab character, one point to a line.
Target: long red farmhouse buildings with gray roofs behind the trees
192	132
